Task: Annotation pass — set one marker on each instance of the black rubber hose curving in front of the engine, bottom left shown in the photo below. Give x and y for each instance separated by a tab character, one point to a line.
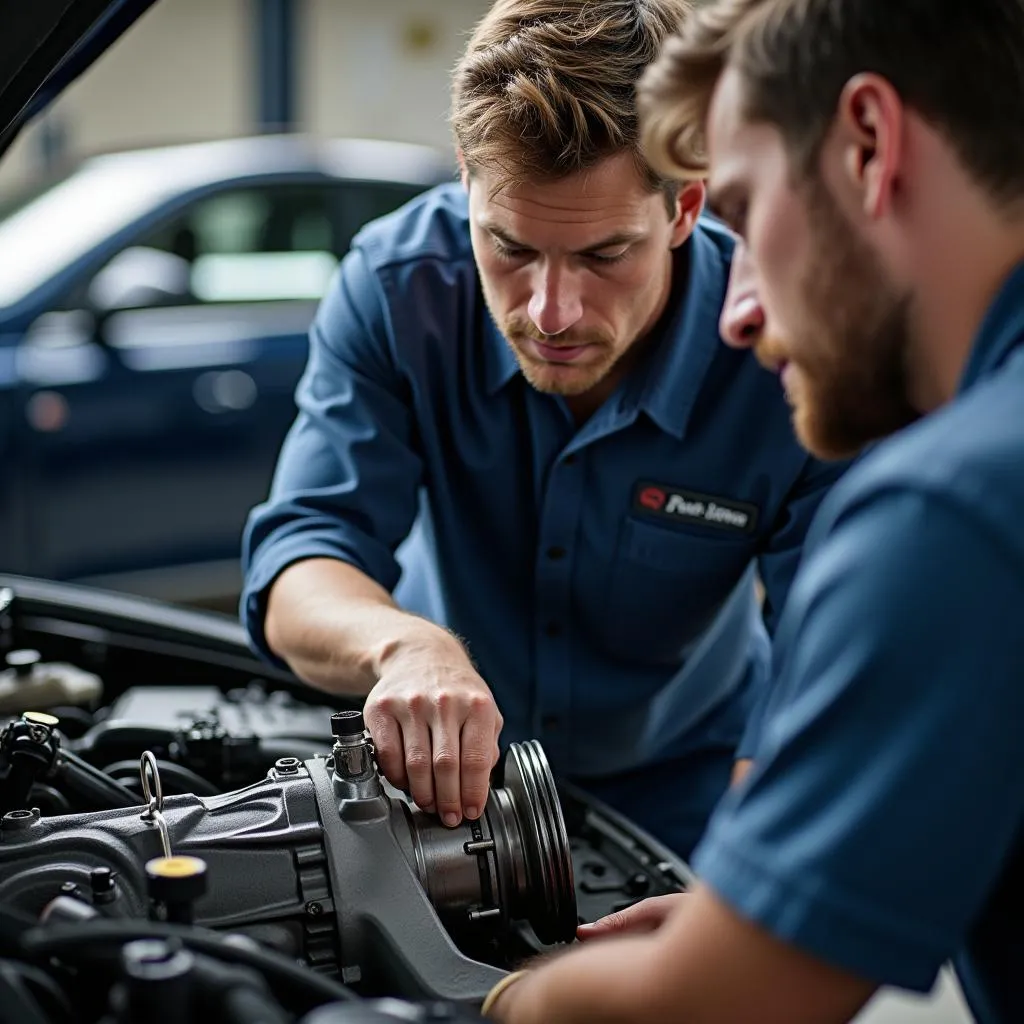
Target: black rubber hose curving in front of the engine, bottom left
86	942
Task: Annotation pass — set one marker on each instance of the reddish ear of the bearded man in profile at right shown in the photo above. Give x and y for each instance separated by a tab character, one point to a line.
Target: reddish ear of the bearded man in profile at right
869	127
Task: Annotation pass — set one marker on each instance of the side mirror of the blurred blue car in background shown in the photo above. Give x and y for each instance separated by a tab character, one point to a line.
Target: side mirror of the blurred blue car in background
138	278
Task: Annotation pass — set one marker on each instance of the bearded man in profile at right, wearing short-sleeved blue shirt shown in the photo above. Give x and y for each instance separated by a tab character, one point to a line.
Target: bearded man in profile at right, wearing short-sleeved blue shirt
881	830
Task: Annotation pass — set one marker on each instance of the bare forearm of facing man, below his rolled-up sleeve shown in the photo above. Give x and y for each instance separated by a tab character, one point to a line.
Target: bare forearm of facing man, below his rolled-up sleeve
337	629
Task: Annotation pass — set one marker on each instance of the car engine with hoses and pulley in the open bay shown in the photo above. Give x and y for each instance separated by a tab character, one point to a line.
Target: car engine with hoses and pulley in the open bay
222	846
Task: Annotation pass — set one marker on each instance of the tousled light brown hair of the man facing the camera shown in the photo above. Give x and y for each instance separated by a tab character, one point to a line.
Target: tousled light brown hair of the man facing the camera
547	89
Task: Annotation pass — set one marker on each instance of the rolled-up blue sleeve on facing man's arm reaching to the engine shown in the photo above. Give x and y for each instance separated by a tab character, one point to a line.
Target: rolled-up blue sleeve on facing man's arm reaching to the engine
348	478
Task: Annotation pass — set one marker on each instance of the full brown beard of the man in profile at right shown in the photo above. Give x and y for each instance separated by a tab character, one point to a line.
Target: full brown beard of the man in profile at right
849	366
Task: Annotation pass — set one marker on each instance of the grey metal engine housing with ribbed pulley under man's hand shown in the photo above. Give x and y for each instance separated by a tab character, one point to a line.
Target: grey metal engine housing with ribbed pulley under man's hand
322	861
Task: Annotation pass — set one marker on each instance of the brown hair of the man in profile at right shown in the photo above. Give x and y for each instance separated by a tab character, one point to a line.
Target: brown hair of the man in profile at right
959	64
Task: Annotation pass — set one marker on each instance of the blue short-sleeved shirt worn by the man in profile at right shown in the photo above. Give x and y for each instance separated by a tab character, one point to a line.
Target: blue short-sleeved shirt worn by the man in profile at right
882	828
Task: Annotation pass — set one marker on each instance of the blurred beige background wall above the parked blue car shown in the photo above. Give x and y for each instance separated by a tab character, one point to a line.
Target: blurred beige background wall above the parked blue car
185	73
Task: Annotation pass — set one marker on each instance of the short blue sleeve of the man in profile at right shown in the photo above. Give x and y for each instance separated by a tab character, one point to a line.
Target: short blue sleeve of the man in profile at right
887	794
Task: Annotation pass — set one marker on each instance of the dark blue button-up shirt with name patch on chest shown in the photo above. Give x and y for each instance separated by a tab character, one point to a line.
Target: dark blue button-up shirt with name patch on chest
600	575
